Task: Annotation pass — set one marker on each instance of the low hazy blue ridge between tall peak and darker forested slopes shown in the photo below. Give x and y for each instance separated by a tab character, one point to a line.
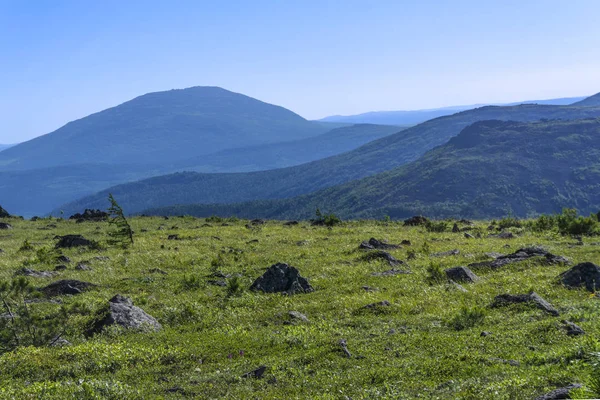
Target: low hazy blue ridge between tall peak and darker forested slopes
280	155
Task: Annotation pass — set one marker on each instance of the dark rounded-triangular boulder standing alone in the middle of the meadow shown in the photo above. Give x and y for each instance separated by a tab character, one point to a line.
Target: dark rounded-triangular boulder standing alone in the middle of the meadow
283	278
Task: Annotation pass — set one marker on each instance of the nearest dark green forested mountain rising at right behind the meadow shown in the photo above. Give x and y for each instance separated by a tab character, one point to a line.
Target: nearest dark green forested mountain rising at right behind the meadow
491	169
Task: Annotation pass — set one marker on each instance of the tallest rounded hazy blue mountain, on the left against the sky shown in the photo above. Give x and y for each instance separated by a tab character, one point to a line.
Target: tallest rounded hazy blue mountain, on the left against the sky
163	127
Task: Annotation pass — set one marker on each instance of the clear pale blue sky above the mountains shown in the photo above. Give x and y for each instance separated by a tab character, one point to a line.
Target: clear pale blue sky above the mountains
61	60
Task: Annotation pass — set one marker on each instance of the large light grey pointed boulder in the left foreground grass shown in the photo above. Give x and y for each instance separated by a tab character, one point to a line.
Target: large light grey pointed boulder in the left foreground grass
122	312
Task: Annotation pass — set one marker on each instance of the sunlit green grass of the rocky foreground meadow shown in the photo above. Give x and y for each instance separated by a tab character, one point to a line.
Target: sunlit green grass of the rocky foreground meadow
427	344
